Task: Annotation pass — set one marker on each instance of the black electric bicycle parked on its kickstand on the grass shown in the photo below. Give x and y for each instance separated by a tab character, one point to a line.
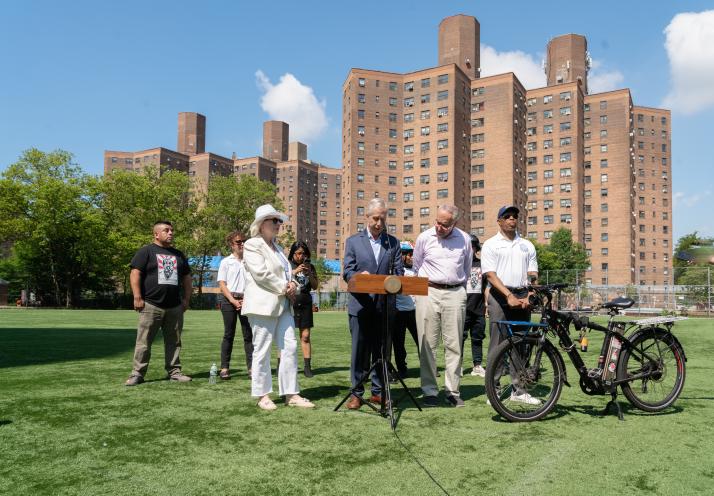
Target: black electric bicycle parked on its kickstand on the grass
526	372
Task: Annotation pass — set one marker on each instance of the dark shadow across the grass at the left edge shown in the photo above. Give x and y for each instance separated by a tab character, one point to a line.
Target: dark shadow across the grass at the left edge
36	346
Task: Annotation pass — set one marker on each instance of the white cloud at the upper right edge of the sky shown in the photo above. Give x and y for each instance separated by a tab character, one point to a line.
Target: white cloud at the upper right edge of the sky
690	48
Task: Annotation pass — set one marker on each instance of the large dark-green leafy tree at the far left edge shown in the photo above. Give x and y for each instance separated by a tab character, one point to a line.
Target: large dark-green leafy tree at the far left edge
49	212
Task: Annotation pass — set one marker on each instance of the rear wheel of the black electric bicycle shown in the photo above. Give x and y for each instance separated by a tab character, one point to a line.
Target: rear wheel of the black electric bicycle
659	359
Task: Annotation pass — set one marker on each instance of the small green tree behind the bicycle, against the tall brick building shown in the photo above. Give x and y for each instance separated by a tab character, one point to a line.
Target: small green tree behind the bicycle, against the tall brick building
564	259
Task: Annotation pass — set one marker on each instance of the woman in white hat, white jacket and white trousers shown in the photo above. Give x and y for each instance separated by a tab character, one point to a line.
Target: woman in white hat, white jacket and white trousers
268	291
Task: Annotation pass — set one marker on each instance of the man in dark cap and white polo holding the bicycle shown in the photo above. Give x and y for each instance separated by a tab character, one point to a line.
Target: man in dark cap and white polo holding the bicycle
508	262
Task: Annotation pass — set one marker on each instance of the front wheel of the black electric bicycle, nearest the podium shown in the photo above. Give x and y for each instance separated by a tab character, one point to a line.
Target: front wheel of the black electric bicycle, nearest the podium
524	379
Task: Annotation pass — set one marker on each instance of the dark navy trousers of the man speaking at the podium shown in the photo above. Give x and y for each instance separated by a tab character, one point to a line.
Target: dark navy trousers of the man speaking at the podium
366	330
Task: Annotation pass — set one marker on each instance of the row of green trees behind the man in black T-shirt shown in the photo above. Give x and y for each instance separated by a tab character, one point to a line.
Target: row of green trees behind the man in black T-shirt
65	233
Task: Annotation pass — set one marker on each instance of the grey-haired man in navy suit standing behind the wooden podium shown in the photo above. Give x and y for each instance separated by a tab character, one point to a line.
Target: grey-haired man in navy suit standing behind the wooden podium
370	251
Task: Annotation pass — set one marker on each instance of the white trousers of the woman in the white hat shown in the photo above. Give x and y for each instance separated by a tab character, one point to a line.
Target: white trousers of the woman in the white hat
282	330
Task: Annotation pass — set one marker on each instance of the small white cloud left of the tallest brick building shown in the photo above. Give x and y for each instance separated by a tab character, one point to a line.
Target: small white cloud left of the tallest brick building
295	103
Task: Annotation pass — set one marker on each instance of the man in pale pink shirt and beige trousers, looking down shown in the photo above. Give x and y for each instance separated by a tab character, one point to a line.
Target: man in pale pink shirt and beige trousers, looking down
443	255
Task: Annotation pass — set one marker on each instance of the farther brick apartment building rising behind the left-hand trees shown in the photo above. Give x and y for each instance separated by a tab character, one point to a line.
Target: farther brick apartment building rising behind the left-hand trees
301	184
